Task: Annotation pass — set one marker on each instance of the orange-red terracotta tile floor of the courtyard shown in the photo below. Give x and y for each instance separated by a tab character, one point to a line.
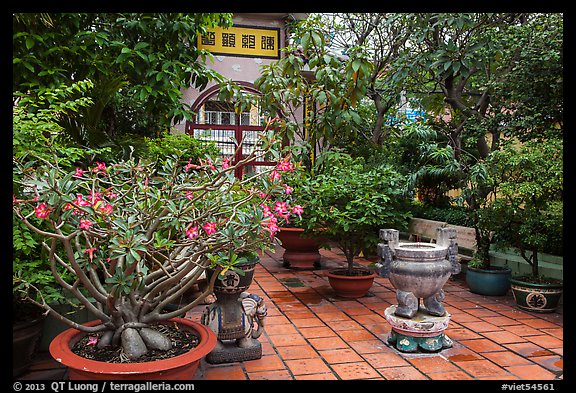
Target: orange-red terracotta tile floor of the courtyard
312	334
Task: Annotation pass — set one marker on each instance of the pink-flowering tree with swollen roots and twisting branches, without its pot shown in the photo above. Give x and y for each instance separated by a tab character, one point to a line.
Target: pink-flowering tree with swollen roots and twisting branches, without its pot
135	236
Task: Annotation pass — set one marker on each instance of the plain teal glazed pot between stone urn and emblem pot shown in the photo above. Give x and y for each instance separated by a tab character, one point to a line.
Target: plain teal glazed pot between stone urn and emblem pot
492	281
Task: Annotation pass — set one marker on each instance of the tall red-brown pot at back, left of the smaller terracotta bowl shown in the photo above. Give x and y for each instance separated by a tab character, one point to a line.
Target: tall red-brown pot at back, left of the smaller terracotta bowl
300	252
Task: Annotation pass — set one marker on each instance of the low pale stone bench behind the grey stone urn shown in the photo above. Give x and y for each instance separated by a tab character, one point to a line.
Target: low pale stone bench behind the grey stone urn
424	230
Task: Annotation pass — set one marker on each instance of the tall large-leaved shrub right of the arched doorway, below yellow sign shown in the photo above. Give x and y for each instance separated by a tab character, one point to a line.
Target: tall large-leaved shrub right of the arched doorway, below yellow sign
331	86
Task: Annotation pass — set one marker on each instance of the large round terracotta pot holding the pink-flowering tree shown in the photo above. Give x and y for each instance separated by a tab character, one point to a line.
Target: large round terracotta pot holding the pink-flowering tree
181	367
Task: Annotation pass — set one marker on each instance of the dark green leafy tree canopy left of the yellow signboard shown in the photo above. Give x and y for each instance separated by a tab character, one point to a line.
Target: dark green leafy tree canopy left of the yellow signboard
138	63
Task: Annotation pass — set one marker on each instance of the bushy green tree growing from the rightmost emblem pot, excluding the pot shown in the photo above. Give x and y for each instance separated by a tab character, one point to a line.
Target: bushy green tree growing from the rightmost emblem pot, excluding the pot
526	211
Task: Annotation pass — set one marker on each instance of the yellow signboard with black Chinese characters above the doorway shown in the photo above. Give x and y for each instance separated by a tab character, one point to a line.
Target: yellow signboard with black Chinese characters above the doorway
242	41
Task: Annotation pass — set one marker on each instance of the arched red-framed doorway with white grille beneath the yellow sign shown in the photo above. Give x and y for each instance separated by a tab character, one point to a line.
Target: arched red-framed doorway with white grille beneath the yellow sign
217	121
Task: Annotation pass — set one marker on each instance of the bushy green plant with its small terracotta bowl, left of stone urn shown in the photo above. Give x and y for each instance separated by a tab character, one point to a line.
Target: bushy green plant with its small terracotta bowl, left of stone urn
350	201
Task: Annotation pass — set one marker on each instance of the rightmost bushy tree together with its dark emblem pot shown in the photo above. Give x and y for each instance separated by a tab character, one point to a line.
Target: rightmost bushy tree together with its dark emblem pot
527	214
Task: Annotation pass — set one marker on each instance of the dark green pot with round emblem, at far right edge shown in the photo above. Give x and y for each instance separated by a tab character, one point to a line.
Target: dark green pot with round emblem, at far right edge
536	297
